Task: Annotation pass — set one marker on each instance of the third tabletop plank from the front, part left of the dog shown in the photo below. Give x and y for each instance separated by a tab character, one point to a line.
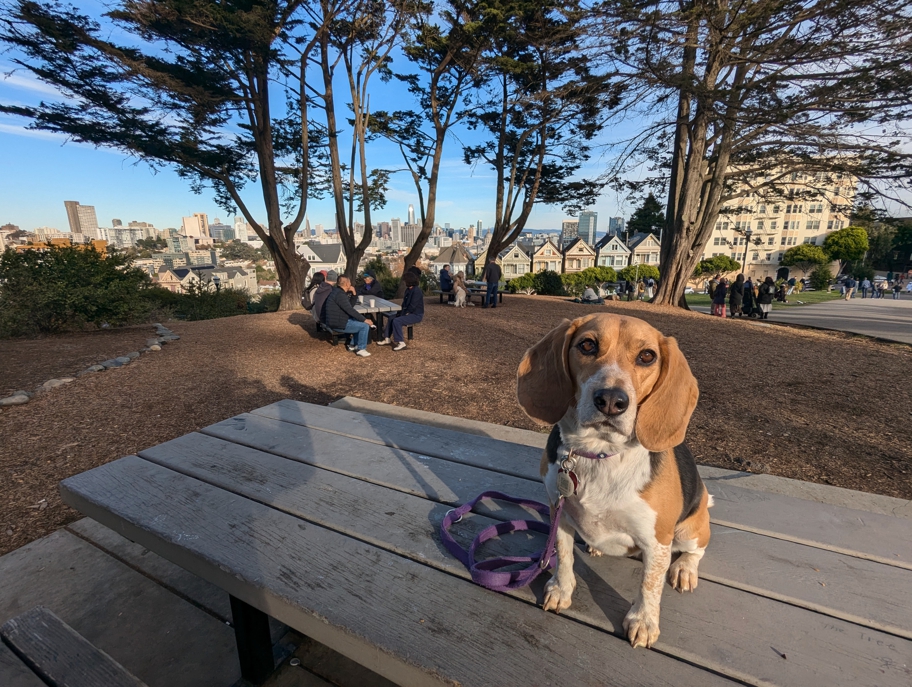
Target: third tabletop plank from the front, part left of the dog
442	480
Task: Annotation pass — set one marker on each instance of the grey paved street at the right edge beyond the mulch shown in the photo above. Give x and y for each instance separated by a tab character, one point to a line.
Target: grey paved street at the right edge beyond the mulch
881	317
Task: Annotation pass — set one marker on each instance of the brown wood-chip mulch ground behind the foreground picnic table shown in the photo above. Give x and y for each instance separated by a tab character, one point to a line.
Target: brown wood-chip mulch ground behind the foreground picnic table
809	405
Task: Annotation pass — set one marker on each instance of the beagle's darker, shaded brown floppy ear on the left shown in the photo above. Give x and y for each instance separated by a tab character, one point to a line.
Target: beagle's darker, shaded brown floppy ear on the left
543	384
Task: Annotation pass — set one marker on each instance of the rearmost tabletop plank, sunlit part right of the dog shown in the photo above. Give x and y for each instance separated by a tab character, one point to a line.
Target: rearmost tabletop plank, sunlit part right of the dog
845	530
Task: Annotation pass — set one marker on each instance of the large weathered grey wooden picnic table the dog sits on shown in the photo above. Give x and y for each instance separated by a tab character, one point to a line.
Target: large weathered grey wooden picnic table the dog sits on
327	520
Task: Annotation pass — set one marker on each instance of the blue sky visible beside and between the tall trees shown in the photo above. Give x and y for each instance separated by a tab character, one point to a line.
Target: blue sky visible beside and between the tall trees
42	170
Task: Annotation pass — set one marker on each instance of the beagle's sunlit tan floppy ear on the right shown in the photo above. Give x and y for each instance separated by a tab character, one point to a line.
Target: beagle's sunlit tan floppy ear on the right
662	418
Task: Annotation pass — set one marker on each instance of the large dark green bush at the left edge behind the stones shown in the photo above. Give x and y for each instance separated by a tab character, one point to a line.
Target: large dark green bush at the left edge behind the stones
69	288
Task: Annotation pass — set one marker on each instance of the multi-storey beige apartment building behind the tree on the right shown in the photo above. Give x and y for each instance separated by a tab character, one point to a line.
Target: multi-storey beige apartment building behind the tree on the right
809	207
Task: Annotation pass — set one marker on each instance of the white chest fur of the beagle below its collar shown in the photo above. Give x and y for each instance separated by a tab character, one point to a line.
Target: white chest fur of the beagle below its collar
607	509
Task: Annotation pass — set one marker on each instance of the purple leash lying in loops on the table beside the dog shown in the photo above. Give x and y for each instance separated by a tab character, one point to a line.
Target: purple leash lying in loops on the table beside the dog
488	573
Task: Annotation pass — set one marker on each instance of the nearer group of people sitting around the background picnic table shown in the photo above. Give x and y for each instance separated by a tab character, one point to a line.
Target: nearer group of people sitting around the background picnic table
331	299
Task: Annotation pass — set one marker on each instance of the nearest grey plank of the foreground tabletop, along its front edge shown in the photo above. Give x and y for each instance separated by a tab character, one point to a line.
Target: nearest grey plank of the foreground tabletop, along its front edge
407	627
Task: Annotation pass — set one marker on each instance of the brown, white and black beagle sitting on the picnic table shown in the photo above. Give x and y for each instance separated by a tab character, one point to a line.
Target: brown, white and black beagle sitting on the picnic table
620	396
